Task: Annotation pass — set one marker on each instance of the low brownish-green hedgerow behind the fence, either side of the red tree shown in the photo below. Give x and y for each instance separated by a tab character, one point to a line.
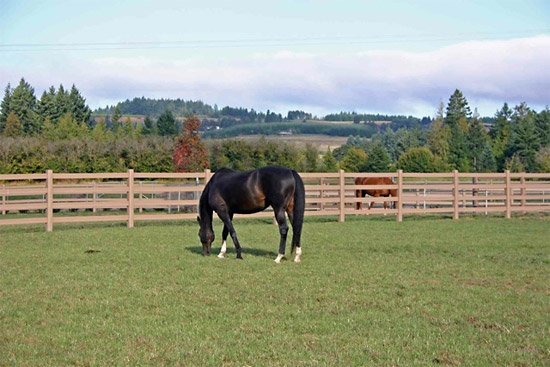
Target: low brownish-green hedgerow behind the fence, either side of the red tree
148	154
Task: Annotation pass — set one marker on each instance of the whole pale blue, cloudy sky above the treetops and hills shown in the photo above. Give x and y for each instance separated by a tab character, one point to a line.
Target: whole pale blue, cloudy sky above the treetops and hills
393	57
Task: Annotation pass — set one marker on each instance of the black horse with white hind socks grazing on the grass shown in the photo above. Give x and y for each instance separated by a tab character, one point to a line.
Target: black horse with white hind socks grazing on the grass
230	192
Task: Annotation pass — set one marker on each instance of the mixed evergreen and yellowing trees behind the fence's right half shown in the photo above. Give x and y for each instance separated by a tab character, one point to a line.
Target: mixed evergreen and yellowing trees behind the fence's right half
518	140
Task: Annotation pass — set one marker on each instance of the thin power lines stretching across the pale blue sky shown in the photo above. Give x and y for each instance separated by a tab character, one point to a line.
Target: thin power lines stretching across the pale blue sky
270	42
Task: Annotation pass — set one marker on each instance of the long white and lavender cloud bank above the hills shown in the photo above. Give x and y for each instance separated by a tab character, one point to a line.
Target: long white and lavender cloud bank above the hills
488	72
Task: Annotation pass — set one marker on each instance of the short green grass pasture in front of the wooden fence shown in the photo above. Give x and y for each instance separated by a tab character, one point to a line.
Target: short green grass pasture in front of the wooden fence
369	292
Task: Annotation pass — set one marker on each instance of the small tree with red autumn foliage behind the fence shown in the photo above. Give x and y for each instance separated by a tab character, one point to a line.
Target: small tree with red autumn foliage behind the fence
190	153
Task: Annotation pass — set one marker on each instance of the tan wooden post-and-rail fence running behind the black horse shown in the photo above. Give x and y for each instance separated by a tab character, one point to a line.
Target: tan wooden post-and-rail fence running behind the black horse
51	198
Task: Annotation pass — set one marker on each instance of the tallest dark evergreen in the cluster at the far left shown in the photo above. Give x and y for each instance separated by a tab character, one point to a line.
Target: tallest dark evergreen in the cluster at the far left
22	103
